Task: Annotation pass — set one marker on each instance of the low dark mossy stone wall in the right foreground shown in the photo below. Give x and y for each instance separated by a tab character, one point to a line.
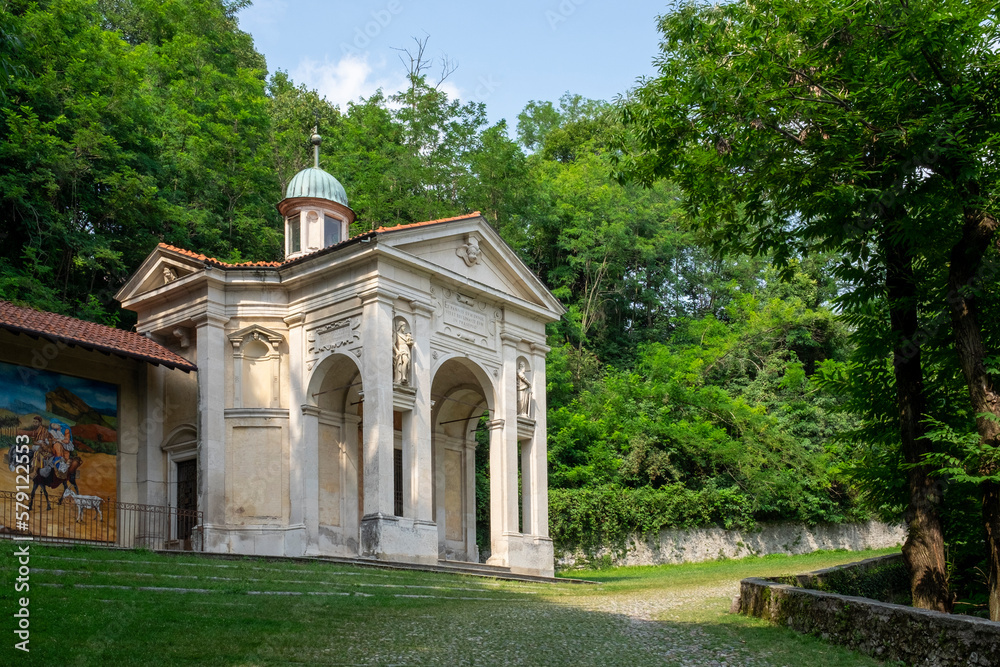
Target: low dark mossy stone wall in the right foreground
887	632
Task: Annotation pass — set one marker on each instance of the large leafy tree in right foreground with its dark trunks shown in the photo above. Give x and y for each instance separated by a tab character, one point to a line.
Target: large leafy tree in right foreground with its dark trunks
863	128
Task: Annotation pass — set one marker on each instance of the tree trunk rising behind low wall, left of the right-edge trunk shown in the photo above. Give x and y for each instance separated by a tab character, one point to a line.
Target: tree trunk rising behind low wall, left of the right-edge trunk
923	550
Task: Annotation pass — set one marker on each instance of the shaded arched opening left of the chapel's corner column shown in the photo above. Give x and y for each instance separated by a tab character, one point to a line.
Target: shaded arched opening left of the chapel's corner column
336	393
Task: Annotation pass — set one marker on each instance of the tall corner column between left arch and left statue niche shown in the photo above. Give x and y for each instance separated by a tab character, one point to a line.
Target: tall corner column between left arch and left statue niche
376	373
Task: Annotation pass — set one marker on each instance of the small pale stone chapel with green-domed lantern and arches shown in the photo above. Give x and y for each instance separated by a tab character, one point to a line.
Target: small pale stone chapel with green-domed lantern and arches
339	393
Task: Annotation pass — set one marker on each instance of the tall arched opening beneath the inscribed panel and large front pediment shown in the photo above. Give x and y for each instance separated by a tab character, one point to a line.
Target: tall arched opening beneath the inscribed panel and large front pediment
463	397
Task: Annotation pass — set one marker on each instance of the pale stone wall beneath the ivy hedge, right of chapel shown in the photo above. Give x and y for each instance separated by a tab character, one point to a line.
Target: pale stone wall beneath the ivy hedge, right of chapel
701	544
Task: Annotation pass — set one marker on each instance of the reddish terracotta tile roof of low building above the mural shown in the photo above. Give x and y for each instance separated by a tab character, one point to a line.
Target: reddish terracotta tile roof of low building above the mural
88	335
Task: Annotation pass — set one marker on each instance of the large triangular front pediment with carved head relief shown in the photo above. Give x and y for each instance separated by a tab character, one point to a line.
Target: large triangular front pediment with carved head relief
471	250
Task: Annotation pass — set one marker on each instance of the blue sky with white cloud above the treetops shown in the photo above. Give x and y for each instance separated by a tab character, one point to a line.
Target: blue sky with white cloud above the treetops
507	53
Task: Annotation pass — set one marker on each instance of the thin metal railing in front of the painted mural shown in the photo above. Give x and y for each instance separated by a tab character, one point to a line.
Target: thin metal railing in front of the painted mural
105	523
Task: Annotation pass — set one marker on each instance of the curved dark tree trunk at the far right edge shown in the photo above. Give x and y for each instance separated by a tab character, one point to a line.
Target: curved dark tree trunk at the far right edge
964	275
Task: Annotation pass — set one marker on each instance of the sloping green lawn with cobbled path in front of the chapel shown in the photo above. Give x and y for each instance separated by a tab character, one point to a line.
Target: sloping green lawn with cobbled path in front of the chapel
99	607
